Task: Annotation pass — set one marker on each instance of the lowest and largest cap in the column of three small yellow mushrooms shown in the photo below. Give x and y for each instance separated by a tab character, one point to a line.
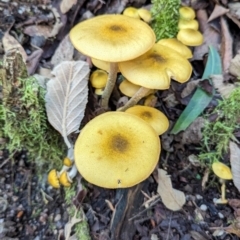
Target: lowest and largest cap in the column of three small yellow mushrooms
190	37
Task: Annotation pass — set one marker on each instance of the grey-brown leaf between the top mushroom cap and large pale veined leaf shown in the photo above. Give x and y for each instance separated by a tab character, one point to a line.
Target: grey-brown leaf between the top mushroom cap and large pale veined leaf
64	52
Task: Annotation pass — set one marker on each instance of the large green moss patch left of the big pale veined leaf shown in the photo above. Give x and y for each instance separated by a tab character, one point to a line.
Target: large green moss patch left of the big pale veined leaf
24	124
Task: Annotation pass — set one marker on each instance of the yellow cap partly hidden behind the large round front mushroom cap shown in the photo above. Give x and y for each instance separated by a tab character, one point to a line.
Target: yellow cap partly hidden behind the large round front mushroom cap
152	116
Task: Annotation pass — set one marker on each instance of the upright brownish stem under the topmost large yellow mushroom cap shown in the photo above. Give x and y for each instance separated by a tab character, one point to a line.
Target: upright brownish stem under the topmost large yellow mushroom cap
112	76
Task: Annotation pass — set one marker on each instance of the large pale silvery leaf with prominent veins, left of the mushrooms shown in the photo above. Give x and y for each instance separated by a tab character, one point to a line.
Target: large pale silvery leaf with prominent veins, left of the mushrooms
66	97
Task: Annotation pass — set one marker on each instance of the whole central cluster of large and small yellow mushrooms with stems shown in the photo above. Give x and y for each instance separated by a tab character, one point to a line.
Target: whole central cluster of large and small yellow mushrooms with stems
112	144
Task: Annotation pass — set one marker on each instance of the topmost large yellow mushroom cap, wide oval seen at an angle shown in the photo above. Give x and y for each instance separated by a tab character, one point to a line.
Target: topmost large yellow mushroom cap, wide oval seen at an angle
113	37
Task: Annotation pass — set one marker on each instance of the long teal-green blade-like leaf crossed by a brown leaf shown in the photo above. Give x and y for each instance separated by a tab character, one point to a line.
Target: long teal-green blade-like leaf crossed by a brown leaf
201	98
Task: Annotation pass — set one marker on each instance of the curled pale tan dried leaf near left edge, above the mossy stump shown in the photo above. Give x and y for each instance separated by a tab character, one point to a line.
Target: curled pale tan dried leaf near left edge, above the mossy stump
9	42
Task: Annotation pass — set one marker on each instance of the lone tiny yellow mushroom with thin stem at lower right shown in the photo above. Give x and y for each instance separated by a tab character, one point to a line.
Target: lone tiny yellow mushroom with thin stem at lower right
224	173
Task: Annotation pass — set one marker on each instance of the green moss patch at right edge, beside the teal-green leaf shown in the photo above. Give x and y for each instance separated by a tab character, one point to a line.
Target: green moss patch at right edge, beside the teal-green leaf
216	134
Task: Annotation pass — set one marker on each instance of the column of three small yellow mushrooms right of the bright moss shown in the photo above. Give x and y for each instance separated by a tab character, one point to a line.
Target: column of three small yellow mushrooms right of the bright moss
188	28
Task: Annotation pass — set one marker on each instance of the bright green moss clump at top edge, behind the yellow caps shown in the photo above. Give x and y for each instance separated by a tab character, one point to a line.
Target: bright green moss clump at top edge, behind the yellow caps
165	18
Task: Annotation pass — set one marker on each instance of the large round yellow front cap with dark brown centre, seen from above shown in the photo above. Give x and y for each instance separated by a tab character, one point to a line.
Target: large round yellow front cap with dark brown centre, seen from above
116	150
